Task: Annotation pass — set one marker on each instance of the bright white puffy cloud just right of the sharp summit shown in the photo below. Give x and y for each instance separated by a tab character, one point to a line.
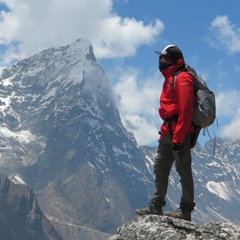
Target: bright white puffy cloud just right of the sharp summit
122	37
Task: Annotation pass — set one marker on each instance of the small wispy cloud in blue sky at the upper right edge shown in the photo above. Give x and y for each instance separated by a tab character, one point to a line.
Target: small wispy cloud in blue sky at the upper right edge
223	34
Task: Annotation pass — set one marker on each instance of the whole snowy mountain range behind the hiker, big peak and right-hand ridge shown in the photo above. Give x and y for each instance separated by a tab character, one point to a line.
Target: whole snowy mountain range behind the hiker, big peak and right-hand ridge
62	135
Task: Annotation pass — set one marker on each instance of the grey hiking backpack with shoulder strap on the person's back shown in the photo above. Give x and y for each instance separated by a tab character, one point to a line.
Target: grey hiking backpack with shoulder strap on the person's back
204	100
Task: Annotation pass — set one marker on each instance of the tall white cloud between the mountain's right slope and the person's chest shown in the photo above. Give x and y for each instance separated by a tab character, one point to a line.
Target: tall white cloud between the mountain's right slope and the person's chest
138	103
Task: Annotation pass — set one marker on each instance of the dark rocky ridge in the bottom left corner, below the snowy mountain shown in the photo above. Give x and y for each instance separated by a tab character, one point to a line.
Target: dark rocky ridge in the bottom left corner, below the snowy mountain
20	215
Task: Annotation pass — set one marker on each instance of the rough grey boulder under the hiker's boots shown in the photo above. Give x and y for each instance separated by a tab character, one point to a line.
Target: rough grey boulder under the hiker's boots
154	227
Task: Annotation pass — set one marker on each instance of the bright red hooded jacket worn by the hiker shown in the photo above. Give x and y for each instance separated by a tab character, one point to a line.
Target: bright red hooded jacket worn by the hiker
177	99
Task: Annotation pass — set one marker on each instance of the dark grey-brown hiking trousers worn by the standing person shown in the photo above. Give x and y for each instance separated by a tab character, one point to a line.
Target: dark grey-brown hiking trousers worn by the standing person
162	167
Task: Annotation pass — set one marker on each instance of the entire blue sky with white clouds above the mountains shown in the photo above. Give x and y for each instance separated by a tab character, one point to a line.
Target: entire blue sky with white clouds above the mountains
124	35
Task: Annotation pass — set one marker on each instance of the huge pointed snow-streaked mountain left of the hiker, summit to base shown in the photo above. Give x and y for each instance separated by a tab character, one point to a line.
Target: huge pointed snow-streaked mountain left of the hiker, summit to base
62	132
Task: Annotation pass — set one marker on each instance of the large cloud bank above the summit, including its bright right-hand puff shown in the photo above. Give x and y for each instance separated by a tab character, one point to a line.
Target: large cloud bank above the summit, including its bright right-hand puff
31	26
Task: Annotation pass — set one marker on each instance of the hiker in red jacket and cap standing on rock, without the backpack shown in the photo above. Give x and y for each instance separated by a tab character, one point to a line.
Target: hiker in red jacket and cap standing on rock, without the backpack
177	135
